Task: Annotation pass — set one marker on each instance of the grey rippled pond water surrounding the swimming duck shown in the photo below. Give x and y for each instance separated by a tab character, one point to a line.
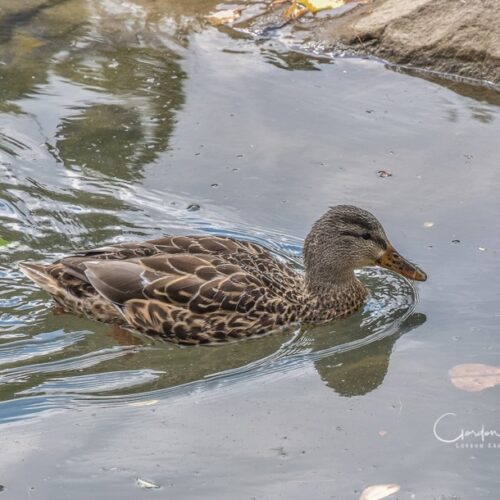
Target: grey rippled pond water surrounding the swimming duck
128	120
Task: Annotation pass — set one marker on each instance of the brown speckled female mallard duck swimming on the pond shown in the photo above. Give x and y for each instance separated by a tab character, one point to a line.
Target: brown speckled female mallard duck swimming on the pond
201	289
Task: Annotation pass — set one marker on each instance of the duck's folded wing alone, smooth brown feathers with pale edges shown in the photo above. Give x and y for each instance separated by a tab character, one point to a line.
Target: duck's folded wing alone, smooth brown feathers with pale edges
198	283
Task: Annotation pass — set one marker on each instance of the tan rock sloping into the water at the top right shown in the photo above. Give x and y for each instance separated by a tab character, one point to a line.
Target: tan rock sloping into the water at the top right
450	36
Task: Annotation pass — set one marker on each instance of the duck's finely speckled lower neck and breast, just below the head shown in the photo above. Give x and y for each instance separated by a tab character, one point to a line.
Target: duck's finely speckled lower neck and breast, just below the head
333	299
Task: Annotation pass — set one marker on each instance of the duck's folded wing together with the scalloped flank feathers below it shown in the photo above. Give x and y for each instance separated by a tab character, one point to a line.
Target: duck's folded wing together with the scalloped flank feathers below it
189	298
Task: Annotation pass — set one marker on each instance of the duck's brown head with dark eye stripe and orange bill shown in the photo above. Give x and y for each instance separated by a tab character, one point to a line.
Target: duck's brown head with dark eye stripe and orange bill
346	238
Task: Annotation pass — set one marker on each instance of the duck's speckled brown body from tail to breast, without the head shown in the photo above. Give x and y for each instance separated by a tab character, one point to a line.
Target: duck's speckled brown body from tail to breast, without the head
191	289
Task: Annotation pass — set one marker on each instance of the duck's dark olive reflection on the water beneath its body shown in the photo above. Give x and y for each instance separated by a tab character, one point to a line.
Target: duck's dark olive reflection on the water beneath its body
352	362
